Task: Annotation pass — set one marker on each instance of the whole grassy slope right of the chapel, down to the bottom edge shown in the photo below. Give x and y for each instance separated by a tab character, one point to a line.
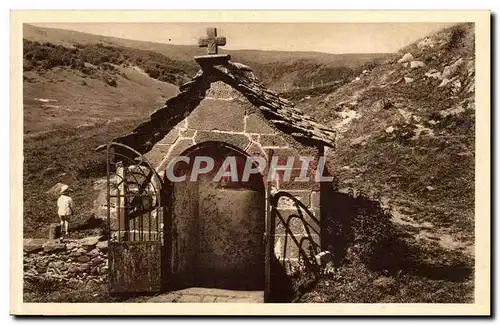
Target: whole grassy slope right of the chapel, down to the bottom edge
426	181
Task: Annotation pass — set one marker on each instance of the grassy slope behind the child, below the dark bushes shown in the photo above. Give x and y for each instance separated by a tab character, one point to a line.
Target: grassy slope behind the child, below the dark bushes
61	135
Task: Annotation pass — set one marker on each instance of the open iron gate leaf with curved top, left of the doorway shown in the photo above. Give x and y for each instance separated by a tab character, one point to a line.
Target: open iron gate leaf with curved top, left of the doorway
135	219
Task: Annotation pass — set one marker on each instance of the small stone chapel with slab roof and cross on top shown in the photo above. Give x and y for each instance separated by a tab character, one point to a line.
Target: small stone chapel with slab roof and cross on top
224	234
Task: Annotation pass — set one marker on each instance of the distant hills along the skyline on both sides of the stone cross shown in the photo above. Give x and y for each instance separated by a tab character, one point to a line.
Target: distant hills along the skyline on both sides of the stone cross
277	69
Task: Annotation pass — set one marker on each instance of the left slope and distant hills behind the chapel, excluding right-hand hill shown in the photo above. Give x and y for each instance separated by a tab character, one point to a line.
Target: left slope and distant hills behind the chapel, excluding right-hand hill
86	87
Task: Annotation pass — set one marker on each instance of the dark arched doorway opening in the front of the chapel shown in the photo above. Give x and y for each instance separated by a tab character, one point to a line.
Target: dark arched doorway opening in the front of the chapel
217	226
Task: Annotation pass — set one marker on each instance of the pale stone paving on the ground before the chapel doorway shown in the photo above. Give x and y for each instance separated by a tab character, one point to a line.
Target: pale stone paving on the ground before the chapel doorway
210	296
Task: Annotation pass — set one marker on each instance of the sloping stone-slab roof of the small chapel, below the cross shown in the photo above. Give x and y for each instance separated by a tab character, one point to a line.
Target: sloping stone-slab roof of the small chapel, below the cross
275	109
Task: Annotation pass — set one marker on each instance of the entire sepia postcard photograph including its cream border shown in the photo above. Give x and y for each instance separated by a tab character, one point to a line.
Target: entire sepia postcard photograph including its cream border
252	162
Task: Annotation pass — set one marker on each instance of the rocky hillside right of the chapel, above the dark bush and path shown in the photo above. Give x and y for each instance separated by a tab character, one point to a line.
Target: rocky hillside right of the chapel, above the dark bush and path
402	123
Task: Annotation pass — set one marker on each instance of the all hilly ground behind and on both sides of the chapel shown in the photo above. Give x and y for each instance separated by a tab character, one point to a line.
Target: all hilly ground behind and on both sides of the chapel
404	159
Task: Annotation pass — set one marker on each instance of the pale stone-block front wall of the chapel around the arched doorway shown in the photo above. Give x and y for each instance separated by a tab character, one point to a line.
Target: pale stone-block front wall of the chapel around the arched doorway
224	115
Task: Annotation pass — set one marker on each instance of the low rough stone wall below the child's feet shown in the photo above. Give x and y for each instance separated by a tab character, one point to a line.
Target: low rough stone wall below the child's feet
74	261
